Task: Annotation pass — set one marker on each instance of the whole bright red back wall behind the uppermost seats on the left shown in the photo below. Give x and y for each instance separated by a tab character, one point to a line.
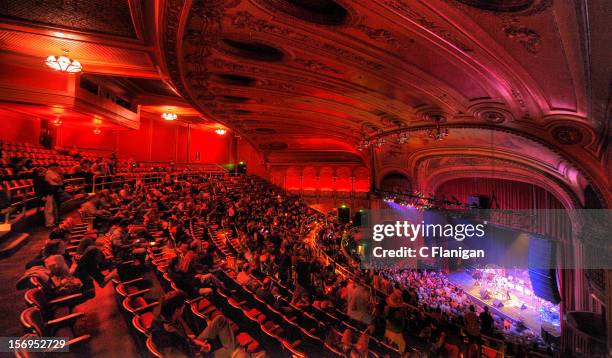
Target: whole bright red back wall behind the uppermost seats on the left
155	141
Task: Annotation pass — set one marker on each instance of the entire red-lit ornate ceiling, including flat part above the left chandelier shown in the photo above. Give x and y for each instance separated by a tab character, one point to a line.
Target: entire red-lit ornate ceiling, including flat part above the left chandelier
309	80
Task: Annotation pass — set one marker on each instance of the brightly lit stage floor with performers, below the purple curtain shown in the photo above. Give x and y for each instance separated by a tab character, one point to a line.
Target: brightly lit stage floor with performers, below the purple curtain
511	309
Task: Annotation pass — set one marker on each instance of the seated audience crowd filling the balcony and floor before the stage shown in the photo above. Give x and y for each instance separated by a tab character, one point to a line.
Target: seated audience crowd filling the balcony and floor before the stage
273	242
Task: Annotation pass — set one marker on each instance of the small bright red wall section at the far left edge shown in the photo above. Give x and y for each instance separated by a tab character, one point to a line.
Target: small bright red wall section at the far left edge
17	127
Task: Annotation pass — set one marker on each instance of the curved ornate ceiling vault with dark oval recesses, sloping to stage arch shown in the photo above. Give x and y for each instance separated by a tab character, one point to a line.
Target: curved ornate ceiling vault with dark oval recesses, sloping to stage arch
327	74
